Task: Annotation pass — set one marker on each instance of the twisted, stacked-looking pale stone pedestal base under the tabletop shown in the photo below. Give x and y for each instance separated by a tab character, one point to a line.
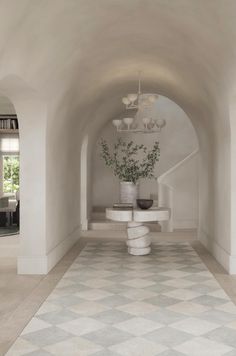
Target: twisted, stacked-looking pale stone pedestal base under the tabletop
139	240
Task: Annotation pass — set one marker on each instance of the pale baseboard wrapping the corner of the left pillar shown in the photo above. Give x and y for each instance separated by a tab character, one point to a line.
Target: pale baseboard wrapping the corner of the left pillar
43	264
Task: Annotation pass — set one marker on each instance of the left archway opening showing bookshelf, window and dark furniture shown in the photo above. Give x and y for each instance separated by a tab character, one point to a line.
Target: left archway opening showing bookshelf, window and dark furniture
9	169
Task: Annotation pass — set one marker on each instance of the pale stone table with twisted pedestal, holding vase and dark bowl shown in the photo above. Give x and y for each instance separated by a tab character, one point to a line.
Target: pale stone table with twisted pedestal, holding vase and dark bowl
138	238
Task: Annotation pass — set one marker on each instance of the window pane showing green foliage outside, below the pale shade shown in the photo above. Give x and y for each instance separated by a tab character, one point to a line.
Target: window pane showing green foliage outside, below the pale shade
11	166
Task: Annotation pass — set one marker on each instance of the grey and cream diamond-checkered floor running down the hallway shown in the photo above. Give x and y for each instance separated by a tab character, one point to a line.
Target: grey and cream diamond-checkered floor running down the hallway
110	303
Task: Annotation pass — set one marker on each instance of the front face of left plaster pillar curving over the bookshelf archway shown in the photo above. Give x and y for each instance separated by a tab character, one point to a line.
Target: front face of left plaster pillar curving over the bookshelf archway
31	113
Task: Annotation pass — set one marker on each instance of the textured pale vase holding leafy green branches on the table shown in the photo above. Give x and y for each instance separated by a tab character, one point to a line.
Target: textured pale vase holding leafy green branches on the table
130	162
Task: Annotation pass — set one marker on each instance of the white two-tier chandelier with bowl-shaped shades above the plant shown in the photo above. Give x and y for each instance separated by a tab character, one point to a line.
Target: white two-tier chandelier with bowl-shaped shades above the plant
143	120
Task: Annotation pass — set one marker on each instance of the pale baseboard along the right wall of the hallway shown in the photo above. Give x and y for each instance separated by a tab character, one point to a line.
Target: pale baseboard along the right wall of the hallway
223	257
